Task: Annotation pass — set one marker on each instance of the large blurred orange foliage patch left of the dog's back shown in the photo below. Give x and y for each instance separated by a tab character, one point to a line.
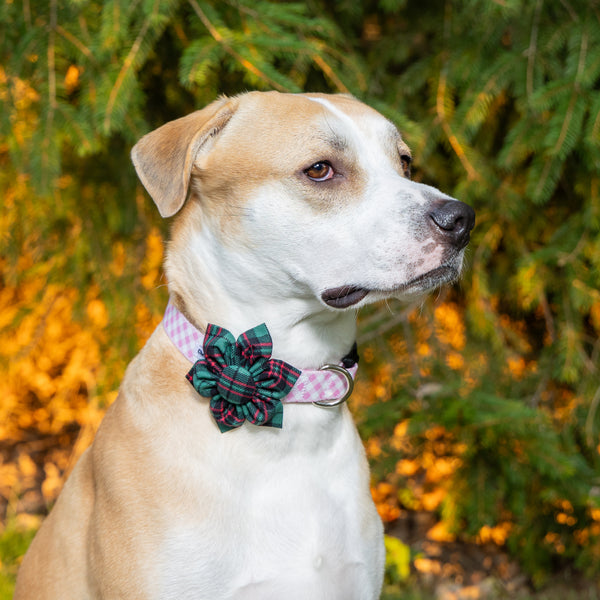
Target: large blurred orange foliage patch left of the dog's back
50	365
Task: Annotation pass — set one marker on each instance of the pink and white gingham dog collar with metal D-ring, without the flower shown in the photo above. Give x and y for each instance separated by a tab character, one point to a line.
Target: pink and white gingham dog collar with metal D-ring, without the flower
329	386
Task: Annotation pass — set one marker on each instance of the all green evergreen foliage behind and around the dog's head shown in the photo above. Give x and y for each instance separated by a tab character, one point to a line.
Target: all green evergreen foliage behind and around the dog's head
500	102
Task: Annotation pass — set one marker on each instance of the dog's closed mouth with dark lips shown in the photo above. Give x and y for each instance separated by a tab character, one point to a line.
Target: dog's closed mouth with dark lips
349	295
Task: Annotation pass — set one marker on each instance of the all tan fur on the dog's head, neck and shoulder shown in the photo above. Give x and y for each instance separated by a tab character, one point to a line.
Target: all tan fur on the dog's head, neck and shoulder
107	496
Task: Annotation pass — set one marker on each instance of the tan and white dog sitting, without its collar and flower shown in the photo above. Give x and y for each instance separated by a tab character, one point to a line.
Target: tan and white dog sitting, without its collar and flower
293	210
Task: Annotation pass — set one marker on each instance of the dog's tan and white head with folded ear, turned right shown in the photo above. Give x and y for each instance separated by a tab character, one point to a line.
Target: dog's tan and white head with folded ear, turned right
308	196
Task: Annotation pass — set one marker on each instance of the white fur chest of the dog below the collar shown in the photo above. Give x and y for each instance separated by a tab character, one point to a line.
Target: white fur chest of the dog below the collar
277	524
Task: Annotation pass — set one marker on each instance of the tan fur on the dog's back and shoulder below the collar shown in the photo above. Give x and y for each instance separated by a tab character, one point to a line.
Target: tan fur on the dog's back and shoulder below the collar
103	492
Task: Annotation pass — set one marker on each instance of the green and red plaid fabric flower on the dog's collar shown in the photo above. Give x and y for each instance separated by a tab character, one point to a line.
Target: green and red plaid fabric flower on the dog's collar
241	379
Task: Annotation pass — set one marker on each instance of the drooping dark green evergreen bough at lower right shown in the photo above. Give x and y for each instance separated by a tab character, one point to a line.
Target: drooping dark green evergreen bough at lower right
512	455
